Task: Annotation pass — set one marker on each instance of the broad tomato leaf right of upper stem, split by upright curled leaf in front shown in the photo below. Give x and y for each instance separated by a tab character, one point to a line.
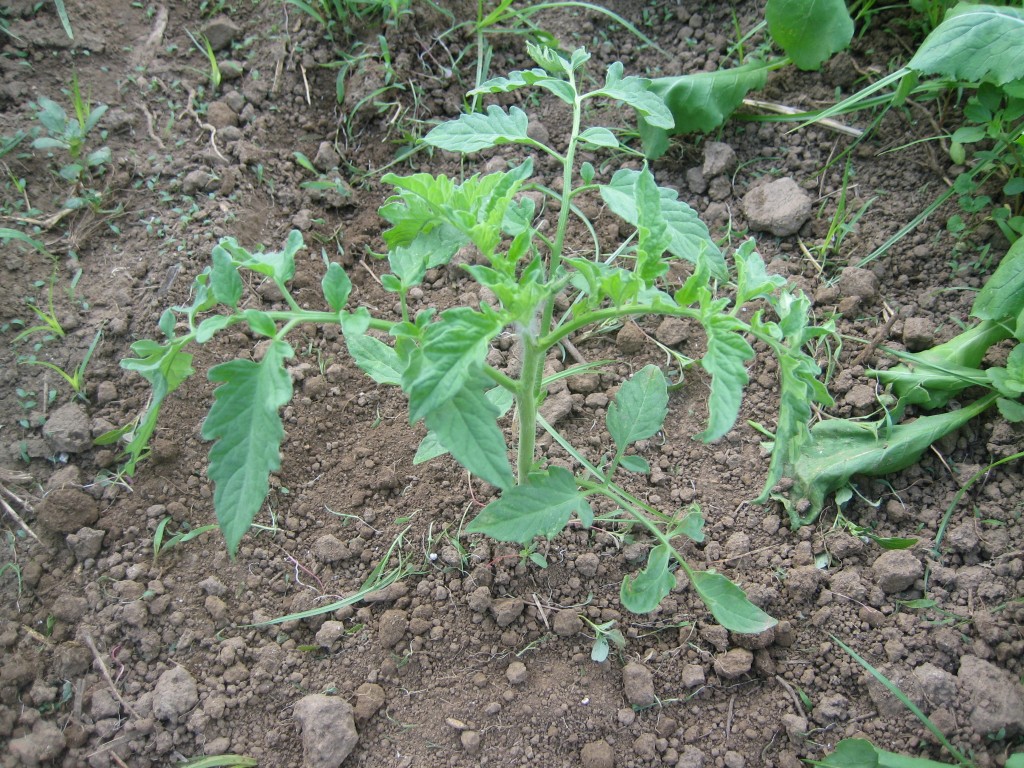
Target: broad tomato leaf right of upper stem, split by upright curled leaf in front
689	236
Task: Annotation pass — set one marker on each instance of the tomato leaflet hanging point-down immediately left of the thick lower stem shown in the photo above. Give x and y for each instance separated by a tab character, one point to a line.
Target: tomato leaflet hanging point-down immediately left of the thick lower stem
465	424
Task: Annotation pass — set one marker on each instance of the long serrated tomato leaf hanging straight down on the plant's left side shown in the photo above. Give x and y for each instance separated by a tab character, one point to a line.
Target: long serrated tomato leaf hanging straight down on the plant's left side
246	426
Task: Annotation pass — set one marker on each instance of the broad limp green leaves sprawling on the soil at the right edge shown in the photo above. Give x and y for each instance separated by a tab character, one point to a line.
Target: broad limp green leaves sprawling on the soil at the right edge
840	449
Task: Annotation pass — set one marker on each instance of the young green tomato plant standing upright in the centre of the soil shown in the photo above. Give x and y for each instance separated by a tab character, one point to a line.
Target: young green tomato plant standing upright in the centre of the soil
440	359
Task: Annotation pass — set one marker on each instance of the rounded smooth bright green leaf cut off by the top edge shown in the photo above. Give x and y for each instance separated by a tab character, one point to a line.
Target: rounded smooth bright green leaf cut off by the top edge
809	32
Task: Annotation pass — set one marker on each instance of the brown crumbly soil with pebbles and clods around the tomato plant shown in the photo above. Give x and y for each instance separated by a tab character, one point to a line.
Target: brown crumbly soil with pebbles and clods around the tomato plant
477	658
